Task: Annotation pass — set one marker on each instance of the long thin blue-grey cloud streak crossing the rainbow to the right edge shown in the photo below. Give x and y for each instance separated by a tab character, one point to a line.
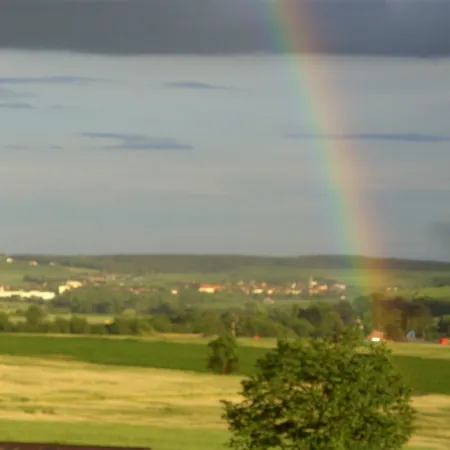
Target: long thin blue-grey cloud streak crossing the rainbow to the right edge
395	137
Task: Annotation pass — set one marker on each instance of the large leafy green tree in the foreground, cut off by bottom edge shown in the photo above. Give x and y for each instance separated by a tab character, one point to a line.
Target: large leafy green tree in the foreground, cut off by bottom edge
323	395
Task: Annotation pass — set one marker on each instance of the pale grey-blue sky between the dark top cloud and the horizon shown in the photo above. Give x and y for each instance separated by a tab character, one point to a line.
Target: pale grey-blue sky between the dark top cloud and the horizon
131	151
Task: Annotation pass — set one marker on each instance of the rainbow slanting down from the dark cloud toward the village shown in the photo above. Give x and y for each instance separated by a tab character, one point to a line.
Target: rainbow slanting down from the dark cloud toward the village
293	32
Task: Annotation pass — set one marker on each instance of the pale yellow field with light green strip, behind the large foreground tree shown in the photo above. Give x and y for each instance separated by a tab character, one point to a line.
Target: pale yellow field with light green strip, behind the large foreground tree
48	400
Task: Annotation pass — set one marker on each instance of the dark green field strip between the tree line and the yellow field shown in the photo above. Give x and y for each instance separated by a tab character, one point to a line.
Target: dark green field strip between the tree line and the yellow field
415	361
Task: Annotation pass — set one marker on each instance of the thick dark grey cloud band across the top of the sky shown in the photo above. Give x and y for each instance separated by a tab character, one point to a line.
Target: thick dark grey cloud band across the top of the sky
392	27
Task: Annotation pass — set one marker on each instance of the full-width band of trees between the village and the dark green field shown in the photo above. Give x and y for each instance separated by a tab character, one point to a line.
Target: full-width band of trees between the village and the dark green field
396	317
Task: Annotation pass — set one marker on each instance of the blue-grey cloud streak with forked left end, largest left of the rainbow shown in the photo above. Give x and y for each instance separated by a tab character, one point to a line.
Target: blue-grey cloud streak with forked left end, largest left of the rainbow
126	141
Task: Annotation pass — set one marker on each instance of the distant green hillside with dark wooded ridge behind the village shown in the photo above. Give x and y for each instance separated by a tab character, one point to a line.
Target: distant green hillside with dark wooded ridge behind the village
361	274
